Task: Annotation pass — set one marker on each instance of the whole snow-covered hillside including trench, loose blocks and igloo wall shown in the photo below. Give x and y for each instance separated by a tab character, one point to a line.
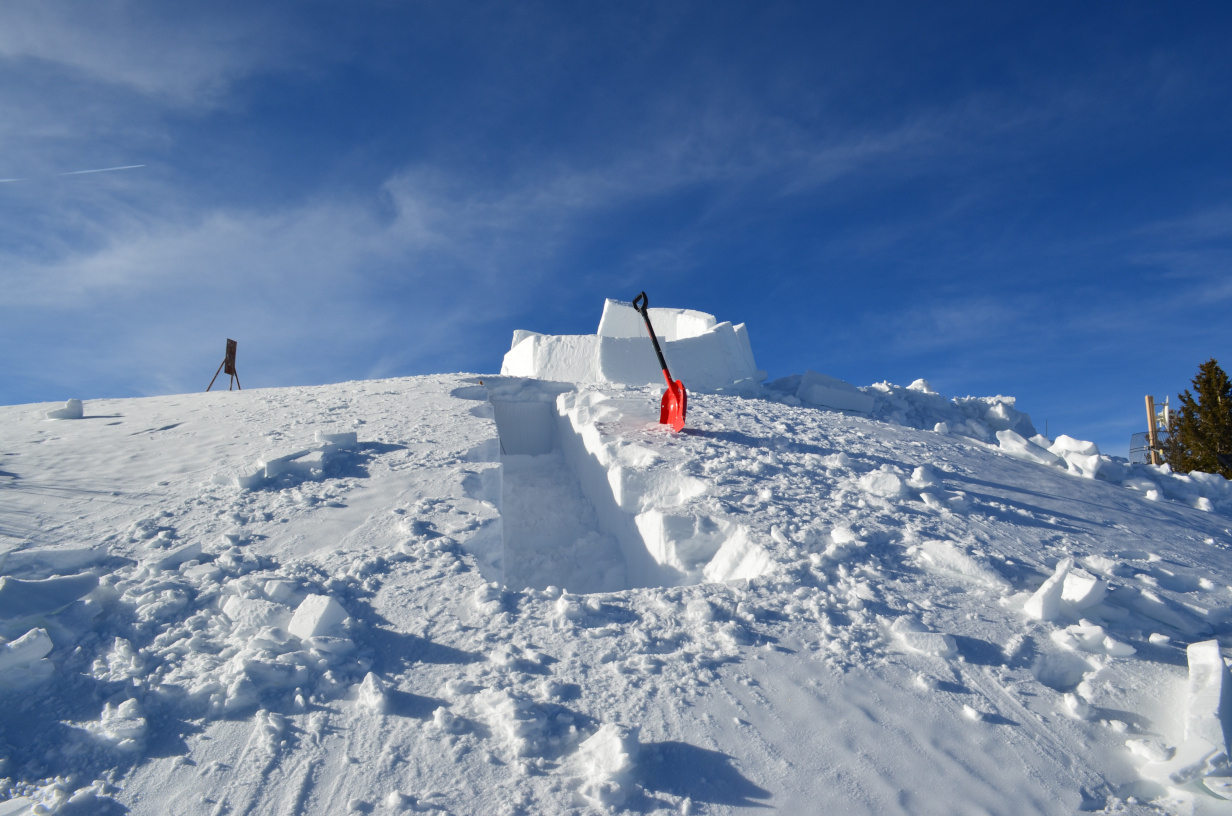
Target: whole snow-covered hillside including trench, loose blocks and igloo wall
521	595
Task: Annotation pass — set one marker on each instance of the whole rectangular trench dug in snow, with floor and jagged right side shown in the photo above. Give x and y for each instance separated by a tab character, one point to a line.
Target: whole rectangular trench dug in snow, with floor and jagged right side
588	511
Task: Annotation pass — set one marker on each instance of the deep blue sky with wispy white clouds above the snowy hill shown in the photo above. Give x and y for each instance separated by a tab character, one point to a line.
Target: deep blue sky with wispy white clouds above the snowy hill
1019	199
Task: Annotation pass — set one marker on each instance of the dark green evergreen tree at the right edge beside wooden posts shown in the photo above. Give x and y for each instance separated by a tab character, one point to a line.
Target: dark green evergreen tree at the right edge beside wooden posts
1203	426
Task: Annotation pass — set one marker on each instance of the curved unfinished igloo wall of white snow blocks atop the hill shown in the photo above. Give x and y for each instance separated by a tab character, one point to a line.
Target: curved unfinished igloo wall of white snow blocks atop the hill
705	354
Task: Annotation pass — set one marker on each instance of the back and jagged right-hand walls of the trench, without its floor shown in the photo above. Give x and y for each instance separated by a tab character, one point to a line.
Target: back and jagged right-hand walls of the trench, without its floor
640	499
